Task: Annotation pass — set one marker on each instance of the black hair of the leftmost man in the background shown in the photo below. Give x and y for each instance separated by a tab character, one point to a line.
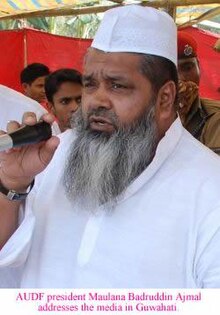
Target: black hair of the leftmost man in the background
32	72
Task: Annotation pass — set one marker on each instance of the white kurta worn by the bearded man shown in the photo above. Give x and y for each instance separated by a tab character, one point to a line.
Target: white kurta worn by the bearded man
163	233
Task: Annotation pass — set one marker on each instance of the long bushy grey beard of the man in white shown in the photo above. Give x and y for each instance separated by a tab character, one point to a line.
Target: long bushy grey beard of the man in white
100	167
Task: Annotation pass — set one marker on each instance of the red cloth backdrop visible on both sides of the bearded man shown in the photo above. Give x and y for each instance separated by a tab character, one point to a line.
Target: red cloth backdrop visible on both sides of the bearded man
59	52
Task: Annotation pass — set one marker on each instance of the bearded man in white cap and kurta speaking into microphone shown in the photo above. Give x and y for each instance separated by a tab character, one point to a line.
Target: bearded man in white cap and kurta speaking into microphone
126	200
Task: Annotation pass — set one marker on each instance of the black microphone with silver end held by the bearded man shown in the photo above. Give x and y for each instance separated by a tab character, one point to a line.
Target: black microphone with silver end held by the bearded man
26	135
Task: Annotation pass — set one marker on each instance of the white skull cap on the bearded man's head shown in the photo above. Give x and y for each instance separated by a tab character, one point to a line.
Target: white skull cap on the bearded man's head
133	28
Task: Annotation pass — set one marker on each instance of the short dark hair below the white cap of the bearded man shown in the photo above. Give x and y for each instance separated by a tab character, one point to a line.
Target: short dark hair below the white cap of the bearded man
159	70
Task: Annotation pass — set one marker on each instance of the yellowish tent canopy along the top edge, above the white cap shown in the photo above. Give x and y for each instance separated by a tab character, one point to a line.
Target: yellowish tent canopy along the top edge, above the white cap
187	9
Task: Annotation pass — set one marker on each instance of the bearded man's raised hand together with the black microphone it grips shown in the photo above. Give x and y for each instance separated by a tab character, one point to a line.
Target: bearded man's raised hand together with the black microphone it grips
35	147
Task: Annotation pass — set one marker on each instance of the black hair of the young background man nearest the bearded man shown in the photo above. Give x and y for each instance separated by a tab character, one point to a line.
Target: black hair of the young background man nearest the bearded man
56	78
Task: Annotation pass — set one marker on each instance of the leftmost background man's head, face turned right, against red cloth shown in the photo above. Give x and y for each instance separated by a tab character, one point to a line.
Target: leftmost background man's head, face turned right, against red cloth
33	79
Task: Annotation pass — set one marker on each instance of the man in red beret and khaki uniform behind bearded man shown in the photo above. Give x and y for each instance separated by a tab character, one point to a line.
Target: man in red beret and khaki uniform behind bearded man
201	117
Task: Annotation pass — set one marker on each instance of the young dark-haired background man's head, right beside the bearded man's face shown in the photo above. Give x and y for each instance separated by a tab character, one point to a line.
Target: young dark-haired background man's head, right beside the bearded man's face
63	91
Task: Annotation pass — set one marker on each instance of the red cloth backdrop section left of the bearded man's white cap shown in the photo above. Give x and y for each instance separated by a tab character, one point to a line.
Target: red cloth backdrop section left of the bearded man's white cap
22	47
